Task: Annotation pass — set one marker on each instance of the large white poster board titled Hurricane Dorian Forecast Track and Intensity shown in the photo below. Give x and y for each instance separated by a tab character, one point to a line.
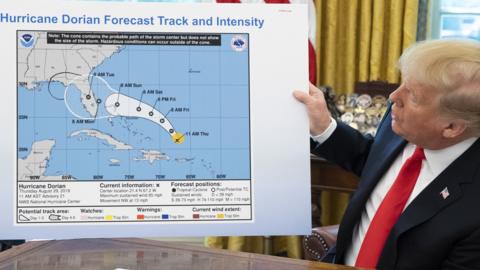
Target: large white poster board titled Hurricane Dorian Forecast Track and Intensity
150	119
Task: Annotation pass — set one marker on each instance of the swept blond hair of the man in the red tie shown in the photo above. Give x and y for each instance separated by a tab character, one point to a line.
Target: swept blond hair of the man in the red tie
451	67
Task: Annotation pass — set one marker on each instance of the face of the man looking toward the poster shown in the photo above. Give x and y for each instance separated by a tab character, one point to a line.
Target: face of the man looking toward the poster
416	115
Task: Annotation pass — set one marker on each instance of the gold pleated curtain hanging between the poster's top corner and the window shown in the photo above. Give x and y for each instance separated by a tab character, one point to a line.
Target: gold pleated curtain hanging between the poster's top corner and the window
362	40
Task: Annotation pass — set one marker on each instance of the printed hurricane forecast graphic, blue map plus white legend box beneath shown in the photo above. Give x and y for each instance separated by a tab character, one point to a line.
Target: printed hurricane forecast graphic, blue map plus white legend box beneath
129	127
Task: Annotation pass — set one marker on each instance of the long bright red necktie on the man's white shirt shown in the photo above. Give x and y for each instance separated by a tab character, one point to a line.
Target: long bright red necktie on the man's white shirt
389	210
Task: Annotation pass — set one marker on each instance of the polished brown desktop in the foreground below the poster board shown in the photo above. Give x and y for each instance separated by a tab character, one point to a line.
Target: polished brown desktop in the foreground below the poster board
132	253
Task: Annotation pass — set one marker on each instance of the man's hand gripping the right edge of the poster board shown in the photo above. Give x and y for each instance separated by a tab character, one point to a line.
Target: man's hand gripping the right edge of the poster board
316	108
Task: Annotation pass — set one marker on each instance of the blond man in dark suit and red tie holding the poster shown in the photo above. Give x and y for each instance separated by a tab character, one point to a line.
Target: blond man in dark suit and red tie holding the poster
427	144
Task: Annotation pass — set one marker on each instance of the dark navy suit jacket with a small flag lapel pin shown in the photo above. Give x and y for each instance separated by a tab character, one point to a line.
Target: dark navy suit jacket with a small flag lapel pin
432	232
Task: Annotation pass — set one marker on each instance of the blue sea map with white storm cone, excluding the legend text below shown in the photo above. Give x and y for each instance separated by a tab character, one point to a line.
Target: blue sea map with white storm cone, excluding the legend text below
132	106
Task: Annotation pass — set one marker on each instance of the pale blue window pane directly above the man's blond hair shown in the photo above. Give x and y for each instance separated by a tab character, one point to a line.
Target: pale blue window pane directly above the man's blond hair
457	26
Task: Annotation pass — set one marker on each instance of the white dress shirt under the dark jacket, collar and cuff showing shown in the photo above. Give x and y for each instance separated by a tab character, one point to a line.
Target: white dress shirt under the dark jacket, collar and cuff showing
435	162
